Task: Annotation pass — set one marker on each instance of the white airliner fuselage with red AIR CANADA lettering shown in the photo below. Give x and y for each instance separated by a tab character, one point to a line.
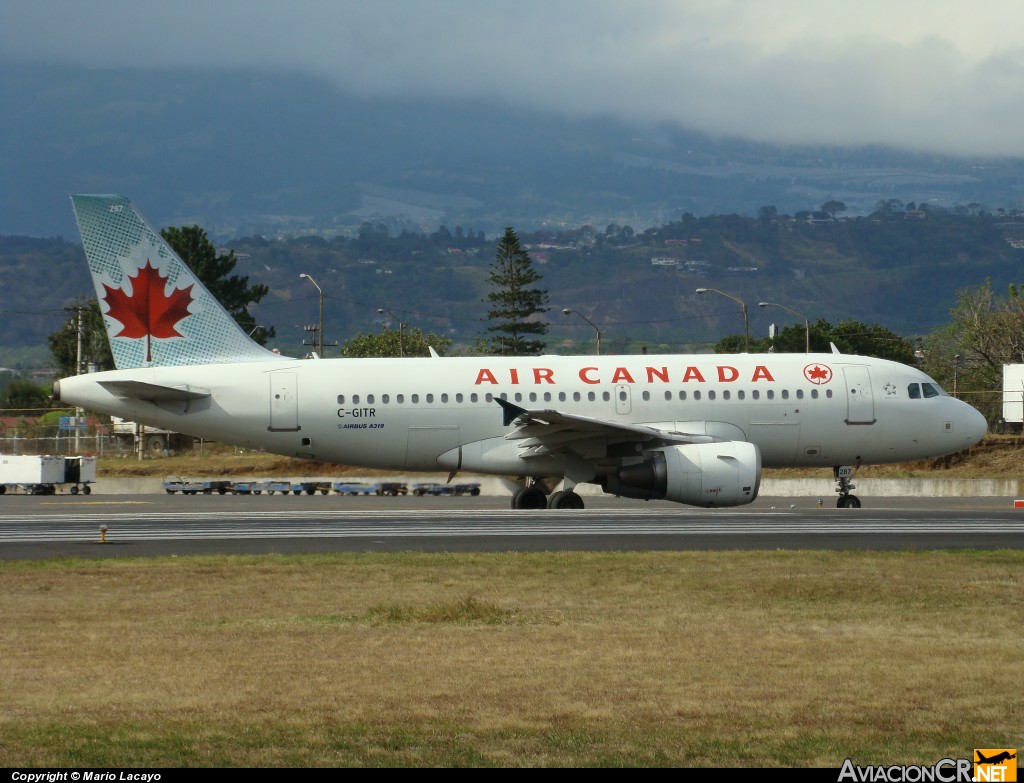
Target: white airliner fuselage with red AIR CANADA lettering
440	414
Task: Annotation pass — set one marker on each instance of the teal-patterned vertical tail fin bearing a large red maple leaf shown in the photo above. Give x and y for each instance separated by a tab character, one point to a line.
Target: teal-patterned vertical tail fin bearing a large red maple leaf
156	312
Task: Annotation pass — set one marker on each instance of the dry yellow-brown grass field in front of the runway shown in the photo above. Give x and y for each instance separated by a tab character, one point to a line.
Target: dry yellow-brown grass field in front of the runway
585	660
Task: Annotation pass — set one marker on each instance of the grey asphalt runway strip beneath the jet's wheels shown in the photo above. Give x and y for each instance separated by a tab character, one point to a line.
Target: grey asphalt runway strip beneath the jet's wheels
35	528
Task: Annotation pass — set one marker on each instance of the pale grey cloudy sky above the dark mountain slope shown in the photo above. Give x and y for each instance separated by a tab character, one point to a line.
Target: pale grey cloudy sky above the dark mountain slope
929	75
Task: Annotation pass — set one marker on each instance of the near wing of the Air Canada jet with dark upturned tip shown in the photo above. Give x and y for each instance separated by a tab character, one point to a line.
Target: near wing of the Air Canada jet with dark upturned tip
545	432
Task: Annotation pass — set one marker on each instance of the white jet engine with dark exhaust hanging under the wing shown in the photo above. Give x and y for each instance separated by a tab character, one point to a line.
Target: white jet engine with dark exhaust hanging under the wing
697	474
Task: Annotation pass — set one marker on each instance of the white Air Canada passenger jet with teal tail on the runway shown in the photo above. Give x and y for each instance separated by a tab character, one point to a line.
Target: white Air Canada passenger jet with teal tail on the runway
694	429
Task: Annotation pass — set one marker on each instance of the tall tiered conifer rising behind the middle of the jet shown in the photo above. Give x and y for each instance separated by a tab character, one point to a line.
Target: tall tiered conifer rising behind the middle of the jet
515	300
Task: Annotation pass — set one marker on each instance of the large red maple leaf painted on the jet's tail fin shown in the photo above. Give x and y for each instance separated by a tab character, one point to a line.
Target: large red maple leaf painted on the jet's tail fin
148	312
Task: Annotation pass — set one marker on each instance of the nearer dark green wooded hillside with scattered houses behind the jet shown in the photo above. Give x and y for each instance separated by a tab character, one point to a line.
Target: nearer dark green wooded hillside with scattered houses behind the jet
901	267
